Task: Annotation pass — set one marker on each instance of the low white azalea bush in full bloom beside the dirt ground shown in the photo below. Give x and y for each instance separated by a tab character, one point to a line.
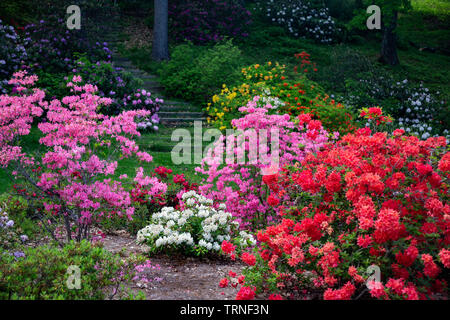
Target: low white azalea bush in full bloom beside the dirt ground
199	228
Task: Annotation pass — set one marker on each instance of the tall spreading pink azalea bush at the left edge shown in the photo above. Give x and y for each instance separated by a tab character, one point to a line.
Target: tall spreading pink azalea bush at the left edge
73	176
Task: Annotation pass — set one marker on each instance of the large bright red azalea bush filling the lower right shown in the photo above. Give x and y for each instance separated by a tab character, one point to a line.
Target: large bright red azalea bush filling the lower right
370	200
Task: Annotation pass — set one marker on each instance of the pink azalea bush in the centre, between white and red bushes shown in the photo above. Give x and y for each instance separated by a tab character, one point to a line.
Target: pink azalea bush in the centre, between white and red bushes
241	185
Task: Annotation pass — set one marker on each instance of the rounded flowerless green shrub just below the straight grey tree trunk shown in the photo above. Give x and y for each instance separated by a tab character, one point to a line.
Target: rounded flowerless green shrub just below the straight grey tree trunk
195	73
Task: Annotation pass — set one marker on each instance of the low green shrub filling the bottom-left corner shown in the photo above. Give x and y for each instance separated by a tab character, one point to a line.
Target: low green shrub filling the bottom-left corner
43	273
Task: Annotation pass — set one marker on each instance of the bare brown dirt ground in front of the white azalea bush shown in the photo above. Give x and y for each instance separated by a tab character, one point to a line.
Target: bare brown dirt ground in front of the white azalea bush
178	278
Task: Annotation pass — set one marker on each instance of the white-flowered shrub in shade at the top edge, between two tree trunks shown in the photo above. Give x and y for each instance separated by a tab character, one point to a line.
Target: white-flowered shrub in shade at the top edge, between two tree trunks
300	18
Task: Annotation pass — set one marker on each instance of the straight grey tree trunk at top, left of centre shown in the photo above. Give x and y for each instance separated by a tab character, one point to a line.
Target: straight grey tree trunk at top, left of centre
160	49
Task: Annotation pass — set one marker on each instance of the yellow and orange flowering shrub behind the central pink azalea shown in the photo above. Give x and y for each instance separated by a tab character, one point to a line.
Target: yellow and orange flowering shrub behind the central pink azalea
291	96
